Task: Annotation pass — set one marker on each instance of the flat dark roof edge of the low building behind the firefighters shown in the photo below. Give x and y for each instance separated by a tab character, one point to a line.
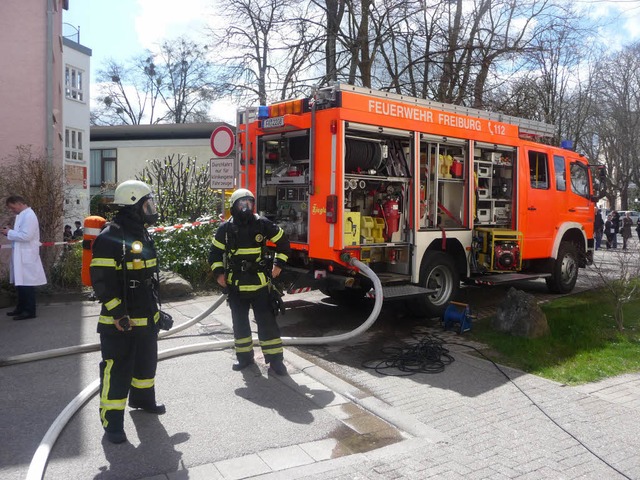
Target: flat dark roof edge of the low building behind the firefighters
158	131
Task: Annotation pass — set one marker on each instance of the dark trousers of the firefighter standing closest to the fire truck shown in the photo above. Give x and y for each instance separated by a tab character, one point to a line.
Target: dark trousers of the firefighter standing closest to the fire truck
268	330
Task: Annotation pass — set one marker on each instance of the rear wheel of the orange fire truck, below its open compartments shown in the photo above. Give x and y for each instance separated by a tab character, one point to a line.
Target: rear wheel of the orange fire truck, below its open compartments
438	272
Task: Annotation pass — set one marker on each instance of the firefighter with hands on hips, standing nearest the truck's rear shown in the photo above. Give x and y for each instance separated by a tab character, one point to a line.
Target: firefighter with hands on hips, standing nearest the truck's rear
247	278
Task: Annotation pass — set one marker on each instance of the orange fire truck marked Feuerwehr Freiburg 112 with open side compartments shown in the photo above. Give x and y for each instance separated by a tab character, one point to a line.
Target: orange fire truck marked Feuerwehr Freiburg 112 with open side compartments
428	195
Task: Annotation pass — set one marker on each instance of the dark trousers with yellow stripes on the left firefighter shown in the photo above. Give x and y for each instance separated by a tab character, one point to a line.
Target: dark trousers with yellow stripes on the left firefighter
128	367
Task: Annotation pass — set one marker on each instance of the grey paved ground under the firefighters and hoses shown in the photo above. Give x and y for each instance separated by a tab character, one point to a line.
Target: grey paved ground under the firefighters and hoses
332	419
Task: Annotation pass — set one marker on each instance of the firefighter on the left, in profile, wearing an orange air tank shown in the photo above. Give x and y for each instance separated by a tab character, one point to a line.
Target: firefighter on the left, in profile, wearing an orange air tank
124	278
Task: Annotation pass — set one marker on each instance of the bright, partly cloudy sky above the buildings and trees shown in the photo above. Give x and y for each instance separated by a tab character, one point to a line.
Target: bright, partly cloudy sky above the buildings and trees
122	29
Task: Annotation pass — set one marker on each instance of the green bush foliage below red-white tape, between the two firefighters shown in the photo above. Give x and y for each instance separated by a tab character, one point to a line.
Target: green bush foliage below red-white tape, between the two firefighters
186	252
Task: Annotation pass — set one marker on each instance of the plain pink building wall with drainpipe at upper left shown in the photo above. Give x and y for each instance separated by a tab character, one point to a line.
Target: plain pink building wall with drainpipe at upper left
31	86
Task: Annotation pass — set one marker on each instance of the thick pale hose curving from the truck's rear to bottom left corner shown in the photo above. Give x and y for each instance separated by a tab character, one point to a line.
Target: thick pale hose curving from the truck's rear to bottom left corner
41	457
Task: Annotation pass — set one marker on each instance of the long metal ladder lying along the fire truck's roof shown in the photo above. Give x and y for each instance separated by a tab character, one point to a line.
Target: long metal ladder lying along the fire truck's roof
526	126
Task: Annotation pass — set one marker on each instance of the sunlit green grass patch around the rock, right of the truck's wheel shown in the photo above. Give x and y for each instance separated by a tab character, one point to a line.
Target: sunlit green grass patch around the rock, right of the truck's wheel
584	344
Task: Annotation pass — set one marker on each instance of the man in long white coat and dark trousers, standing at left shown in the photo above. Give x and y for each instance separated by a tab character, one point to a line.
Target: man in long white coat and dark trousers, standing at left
26	270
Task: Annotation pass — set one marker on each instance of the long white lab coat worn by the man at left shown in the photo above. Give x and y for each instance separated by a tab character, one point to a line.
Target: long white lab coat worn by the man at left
26	265
